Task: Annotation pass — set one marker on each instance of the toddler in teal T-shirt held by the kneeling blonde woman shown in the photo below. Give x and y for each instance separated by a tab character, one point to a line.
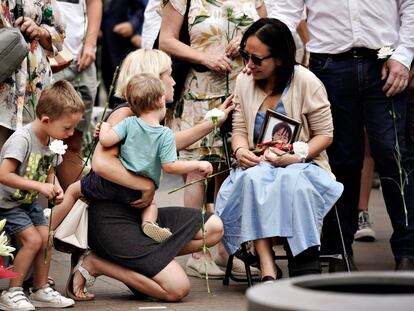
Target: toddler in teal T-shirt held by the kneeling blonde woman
146	147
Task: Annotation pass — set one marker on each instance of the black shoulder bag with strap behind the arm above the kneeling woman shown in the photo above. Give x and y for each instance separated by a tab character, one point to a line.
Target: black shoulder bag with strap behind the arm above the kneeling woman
181	67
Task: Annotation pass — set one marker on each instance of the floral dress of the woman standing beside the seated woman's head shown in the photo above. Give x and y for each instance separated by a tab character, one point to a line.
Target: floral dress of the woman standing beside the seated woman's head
212	24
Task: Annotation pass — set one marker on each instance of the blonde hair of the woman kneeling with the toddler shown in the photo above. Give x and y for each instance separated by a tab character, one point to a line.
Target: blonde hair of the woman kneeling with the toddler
155	62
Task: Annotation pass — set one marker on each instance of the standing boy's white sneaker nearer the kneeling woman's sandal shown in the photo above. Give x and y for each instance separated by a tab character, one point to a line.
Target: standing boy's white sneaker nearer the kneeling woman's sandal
47	297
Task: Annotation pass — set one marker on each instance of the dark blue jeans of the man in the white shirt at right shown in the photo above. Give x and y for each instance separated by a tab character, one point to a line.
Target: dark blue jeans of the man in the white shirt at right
354	89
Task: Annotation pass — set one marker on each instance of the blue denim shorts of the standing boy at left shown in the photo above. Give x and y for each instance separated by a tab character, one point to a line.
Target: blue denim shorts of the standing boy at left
22	217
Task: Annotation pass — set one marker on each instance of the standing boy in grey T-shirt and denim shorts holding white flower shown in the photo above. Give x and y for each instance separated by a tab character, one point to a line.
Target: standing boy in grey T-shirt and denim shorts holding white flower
27	169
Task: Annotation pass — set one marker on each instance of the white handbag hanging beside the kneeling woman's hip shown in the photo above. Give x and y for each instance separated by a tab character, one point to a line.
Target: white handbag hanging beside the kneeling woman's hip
72	233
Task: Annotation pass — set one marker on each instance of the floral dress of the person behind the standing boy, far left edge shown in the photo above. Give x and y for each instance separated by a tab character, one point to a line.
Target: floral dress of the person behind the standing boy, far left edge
19	93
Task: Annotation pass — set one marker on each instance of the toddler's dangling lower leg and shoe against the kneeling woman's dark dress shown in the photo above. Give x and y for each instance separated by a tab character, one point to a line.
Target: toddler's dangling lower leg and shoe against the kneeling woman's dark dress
149	217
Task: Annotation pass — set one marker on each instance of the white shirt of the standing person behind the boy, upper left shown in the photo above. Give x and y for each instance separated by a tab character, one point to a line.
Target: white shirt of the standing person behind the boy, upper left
74	15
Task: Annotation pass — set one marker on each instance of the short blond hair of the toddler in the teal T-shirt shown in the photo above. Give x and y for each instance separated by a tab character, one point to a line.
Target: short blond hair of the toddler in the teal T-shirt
144	92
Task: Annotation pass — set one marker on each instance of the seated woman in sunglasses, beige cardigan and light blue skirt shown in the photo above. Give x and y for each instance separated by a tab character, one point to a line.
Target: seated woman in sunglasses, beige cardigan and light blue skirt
279	194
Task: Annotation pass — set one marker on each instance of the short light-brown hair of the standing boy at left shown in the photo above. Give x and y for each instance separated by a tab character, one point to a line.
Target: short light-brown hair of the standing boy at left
58	100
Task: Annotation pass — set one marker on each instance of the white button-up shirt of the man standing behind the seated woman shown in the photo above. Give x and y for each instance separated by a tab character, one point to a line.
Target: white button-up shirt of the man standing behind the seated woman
336	26
